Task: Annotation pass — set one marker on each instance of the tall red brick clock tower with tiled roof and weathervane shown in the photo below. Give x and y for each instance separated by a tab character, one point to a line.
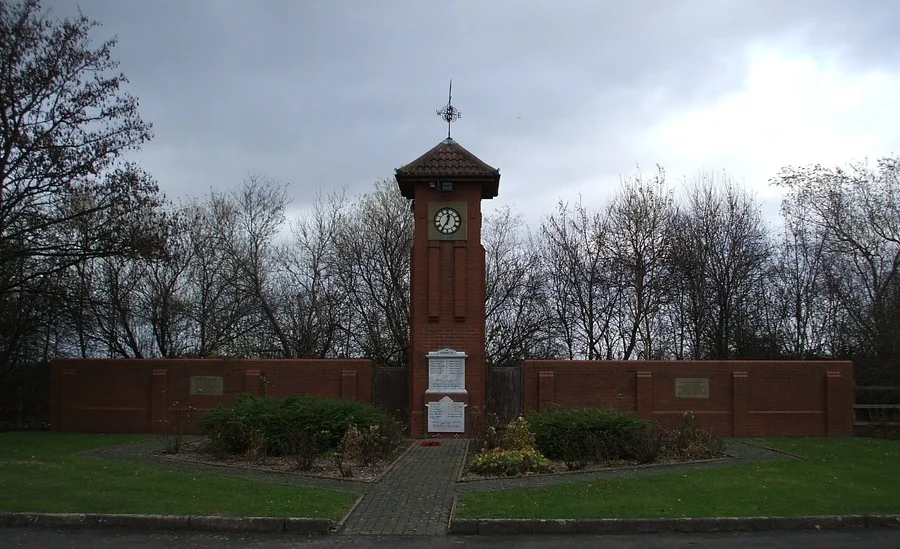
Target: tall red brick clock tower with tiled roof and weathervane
447	326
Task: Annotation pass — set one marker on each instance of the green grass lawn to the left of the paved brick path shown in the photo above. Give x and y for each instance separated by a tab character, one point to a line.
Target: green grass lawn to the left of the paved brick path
39	473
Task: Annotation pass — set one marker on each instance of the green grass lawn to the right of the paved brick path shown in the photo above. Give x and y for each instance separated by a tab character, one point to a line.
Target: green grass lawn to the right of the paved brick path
836	476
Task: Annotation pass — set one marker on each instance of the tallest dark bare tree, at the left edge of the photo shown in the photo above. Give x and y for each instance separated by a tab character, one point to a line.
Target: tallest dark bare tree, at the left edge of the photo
64	121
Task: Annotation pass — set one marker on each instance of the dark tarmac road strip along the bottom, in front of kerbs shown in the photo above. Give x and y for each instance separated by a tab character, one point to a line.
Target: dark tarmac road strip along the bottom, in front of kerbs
863	538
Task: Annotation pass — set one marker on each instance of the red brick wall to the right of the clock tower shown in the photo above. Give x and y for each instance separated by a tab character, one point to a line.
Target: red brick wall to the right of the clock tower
745	398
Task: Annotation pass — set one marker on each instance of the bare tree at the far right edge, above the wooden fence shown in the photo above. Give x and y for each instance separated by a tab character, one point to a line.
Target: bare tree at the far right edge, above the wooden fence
855	213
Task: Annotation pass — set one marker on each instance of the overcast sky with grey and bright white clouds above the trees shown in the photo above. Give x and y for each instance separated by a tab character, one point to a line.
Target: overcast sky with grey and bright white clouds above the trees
565	97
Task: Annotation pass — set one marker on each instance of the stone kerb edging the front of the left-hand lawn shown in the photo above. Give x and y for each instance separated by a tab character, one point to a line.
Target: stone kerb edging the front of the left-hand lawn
267	525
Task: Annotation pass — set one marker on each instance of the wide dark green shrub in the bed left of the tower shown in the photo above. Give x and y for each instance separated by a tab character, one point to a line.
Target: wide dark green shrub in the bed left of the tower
278	427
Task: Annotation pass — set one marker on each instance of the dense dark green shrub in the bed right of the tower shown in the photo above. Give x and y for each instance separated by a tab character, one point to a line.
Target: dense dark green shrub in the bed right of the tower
583	435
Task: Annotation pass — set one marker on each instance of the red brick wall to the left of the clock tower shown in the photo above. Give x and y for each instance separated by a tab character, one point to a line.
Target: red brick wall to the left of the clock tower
141	396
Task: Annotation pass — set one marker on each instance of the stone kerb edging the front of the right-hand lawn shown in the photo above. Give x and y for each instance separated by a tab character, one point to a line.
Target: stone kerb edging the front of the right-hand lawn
653	526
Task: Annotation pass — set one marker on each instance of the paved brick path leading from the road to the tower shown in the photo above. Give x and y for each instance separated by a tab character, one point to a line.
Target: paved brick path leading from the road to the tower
415	497
